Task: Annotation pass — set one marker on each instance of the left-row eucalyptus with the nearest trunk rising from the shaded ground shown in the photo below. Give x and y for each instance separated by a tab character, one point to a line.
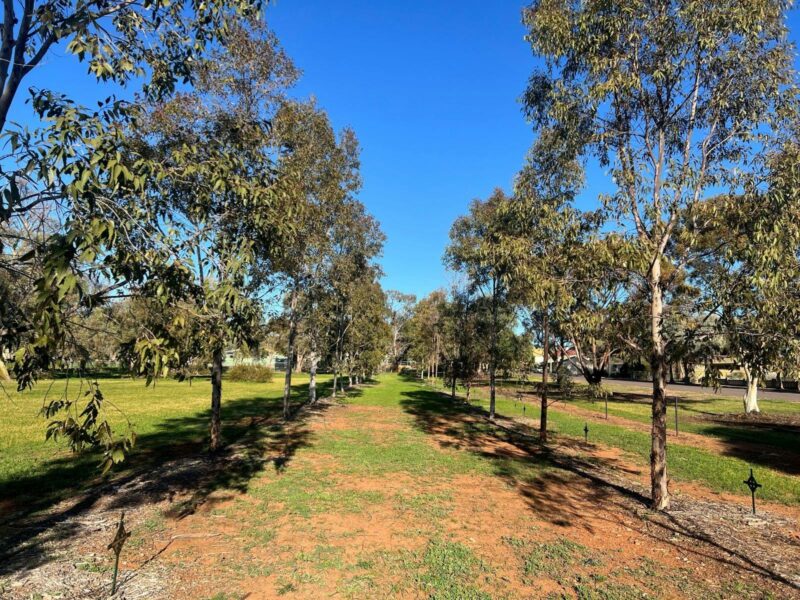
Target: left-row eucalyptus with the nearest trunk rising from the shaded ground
231	214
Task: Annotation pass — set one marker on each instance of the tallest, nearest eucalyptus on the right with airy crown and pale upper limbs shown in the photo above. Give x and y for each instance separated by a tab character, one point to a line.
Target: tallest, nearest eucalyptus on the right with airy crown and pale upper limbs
675	99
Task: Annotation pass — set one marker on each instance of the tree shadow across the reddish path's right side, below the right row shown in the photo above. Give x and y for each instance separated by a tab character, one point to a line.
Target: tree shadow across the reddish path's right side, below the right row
599	491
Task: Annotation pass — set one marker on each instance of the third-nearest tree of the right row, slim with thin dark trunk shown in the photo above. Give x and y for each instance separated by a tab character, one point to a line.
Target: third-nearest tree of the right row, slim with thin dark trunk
482	246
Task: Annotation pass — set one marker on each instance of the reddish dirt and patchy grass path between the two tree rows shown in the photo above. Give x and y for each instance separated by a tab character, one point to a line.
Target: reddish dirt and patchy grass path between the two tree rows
416	498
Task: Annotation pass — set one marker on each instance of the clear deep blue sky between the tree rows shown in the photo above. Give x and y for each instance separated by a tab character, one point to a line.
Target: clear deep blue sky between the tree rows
431	89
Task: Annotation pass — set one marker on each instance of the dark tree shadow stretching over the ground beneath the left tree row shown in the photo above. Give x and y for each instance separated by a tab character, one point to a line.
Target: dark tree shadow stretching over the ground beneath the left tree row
171	464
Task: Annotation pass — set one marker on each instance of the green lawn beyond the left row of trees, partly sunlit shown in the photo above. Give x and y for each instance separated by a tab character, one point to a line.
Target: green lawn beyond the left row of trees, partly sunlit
170	419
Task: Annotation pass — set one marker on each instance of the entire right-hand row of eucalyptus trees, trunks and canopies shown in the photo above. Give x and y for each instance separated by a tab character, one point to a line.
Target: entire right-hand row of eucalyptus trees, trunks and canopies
694	255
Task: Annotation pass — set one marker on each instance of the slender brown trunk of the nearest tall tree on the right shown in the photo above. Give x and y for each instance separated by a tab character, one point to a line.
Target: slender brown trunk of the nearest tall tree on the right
658	450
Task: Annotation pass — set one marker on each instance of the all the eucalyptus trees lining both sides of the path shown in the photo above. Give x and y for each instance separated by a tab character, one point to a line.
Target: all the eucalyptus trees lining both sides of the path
205	209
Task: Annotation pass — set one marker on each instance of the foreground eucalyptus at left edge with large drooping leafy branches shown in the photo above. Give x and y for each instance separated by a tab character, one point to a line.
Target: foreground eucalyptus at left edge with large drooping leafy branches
73	165
